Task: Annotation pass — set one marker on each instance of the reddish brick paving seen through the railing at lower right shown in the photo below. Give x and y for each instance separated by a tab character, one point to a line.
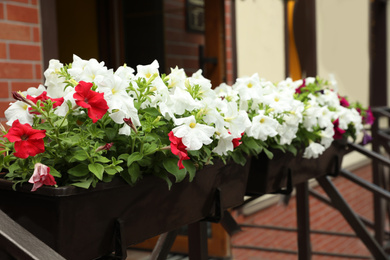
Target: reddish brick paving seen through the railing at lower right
322	217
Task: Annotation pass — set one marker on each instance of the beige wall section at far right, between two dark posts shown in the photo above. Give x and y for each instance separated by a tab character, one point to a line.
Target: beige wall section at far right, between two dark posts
342	42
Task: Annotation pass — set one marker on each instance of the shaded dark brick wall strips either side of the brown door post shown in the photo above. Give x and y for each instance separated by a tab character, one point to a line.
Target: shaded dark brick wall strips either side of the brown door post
181	46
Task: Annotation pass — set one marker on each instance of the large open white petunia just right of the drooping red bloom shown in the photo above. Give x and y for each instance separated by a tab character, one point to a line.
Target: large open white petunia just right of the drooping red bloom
193	134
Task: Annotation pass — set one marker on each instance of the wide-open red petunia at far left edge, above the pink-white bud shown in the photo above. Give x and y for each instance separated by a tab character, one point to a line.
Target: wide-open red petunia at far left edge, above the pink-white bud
28	141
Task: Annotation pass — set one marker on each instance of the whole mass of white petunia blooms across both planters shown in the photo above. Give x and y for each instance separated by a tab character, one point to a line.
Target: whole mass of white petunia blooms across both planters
259	108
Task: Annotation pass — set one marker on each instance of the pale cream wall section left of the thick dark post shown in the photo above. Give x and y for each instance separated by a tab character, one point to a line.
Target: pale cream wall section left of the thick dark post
260	38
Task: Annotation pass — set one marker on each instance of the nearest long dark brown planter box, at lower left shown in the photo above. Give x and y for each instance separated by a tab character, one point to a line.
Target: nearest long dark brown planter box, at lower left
80	224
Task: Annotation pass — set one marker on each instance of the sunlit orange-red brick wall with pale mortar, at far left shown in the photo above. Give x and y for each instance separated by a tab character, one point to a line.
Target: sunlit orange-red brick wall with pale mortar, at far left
20	48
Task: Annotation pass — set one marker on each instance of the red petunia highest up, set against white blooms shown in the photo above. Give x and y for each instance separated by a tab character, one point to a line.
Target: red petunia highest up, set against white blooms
93	101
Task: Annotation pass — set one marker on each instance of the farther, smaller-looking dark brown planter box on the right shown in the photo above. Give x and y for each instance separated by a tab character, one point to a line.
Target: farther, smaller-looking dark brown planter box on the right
285	170
